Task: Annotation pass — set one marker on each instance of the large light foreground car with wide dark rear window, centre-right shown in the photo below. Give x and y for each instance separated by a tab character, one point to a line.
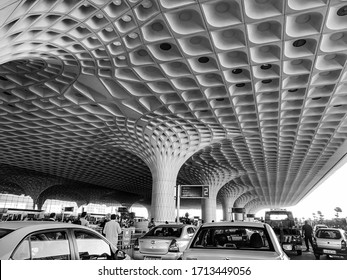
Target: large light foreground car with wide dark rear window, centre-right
236	241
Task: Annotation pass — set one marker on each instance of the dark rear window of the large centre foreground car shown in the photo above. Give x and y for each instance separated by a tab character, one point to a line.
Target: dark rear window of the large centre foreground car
232	237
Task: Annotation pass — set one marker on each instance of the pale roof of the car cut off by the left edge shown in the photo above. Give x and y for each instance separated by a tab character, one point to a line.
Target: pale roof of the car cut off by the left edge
37	224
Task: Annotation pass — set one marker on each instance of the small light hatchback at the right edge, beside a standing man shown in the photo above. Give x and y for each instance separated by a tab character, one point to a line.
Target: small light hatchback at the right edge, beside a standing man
330	241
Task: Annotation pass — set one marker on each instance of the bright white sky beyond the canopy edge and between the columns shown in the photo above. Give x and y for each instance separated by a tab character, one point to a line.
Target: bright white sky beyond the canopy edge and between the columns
326	197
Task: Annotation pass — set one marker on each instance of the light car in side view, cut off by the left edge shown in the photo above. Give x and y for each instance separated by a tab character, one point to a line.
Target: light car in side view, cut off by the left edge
41	240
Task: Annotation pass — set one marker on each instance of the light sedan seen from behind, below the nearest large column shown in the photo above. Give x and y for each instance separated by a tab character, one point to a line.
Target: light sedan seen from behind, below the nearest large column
164	242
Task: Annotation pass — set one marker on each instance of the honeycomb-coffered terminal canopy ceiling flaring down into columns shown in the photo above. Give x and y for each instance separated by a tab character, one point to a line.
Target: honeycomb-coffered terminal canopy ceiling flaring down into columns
101	99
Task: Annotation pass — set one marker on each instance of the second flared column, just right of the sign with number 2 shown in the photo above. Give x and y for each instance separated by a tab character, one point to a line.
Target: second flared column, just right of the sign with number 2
228	194
